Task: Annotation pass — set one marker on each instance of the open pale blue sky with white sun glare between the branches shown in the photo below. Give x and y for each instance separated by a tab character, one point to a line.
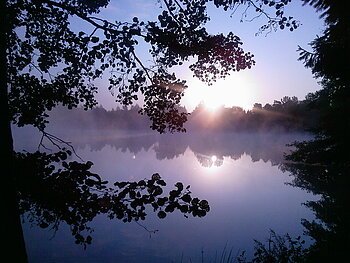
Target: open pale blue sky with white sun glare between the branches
277	72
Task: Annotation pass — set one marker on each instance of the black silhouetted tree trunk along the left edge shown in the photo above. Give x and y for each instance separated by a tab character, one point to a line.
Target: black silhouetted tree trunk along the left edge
12	235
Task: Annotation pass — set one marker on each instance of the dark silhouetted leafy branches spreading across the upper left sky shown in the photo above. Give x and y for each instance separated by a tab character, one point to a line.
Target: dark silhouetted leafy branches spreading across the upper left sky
46	63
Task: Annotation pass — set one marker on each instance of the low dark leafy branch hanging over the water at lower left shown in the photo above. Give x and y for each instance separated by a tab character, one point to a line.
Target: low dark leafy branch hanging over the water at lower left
52	190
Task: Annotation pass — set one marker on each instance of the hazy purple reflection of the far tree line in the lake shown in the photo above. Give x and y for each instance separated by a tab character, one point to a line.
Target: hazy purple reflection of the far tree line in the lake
259	146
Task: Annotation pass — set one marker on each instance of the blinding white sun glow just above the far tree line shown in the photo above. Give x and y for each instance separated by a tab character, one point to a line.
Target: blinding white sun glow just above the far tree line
237	90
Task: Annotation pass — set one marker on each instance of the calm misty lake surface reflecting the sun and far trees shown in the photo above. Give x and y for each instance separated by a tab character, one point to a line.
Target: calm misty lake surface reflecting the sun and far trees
238	173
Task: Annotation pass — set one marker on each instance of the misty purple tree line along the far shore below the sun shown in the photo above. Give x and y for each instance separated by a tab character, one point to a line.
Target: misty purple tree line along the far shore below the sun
285	115
